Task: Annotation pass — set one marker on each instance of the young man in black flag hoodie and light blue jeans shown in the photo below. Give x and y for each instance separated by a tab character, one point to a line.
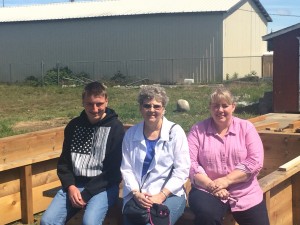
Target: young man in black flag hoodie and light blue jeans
89	165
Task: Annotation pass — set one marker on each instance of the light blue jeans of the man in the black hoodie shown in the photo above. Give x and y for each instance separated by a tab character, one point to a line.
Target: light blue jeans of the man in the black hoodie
60	210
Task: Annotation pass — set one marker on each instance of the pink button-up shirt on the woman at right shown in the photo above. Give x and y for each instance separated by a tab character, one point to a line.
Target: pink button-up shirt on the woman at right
241	148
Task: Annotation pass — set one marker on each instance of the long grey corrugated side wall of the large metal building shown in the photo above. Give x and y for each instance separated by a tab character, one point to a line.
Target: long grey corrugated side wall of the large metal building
164	48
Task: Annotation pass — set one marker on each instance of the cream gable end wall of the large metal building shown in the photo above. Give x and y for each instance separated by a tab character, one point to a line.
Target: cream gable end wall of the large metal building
243	45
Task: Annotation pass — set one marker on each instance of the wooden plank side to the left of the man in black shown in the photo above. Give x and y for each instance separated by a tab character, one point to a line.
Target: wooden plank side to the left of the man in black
27	171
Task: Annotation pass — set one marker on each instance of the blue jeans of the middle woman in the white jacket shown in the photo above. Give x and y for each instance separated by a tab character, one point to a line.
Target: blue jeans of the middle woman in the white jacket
176	206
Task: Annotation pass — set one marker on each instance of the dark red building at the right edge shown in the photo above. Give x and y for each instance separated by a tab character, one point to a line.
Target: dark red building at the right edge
286	68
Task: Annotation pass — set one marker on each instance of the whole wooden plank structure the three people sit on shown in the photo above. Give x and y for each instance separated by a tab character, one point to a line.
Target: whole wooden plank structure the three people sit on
28	173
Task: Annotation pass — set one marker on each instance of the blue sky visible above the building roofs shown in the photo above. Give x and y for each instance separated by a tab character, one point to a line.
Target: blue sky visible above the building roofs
284	13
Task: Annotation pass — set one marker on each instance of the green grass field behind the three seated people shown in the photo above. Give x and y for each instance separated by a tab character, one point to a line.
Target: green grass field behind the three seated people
39	107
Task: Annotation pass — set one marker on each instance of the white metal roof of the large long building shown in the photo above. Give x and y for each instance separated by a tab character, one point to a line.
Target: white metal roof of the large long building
71	10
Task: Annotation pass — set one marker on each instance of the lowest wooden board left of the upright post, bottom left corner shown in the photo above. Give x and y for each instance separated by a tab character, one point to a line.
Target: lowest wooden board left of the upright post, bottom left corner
10	208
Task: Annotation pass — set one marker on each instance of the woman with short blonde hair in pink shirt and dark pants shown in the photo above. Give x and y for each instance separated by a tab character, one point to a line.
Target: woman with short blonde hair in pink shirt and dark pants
226	157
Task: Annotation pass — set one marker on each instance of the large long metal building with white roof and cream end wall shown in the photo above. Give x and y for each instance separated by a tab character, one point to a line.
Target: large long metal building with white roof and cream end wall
163	40
